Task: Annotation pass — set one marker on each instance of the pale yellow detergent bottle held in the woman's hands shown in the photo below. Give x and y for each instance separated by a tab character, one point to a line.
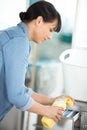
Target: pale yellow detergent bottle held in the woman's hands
48	122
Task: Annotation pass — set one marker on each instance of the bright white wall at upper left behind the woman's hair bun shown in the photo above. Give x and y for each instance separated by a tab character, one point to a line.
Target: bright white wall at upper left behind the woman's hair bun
9	12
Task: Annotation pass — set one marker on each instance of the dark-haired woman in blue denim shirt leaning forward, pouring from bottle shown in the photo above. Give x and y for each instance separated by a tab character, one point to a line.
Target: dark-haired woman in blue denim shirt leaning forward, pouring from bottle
37	24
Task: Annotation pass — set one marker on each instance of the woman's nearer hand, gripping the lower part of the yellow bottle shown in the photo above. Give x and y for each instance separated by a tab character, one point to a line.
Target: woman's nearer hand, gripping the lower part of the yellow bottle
54	112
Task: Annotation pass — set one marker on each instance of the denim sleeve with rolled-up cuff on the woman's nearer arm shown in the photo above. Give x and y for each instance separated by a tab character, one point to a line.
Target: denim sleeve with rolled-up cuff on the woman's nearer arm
16	53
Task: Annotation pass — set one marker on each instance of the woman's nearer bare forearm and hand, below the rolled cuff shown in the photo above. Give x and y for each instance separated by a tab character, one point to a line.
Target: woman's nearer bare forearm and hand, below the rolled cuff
50	111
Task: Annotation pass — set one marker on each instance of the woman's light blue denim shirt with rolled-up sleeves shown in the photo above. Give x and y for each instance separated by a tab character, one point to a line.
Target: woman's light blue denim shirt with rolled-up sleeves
14	53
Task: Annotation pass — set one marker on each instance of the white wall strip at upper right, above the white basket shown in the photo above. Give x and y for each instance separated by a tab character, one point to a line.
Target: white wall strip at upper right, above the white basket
80	27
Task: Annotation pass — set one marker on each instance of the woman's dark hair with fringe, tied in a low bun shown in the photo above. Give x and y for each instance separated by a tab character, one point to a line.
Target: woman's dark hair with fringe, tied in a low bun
44	9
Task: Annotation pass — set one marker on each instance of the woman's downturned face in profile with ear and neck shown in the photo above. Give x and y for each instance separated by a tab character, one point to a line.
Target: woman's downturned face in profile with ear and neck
43	30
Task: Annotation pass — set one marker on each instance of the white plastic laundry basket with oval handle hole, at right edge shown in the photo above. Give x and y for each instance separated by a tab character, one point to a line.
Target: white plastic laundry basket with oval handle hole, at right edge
74	67
